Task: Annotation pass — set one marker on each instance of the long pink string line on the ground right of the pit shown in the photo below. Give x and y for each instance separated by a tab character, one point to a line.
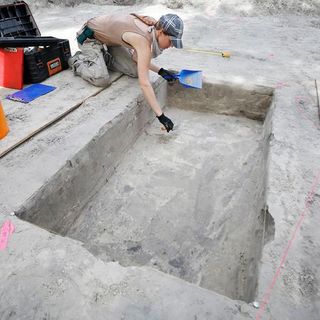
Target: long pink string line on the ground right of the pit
268	292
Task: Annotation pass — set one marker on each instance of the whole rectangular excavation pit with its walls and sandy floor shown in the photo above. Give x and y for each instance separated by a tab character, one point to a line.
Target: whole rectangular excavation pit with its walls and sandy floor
189	203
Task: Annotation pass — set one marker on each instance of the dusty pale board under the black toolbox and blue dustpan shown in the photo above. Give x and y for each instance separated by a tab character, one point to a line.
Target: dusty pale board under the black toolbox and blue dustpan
26	120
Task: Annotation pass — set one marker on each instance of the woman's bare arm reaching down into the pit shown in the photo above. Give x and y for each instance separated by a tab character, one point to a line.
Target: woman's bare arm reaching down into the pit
142	47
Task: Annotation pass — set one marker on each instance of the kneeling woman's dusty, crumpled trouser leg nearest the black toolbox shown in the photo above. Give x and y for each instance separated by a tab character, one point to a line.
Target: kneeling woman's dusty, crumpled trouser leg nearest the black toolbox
89	63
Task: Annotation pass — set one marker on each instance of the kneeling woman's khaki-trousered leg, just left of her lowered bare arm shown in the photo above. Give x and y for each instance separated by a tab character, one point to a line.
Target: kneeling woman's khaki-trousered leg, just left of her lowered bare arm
122	61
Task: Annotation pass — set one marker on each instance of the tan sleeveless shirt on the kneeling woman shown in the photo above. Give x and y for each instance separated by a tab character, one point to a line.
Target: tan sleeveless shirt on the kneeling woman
109	29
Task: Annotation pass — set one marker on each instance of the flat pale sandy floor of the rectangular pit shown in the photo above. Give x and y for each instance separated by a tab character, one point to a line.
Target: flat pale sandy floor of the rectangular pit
185	213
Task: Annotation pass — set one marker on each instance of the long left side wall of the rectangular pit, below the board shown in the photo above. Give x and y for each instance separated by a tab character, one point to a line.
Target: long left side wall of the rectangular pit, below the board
58	203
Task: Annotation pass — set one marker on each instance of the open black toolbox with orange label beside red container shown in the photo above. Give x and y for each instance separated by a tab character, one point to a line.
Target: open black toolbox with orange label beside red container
19	29
